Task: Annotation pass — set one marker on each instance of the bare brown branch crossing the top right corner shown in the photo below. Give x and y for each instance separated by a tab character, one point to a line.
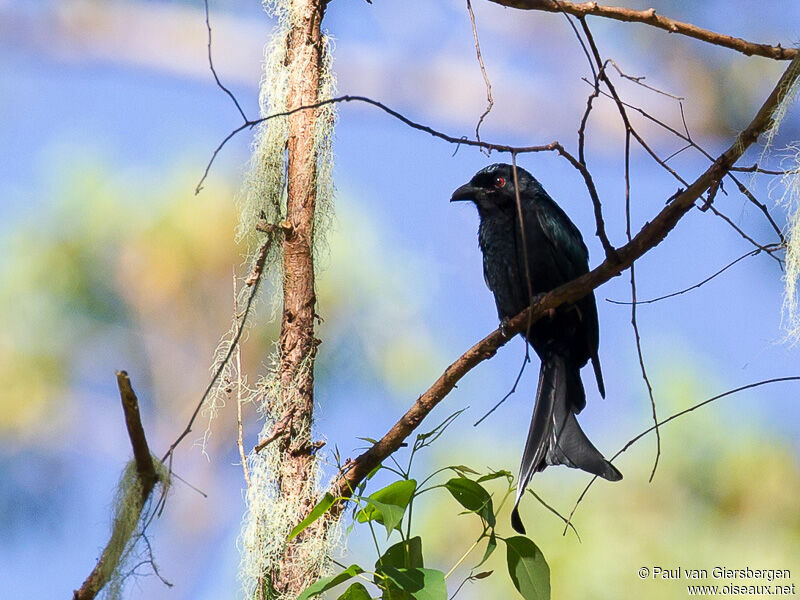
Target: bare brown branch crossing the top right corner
650	17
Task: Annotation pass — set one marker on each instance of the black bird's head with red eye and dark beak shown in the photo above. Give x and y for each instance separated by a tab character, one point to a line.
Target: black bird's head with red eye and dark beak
492	188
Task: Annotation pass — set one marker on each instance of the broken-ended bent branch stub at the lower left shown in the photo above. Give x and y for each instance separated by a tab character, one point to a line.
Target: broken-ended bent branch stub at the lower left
146	472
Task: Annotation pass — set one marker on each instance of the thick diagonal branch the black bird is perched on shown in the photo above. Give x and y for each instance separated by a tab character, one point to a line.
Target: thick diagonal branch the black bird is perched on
650	235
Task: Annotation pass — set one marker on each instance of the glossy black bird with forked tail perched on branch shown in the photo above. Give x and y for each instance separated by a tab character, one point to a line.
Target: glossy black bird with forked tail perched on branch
519	263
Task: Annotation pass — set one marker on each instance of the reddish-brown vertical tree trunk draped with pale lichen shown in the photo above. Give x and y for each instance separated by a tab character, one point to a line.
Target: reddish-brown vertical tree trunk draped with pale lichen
297	343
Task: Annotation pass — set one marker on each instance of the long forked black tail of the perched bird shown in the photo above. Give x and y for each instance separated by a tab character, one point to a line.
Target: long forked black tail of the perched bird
554	436
